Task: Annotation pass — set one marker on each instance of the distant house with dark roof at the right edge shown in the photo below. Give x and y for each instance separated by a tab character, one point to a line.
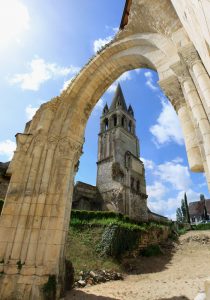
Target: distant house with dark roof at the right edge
197	210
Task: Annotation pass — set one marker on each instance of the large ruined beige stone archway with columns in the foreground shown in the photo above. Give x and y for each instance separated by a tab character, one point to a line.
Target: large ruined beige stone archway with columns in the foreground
35	217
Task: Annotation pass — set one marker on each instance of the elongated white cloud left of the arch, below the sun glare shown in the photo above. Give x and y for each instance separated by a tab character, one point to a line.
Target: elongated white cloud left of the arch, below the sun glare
40	72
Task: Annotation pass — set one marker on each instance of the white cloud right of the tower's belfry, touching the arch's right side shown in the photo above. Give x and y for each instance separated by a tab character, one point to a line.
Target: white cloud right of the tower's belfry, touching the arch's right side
167	128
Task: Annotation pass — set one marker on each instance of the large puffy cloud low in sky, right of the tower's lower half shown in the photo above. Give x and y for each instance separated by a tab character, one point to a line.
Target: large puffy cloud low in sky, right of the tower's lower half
169	181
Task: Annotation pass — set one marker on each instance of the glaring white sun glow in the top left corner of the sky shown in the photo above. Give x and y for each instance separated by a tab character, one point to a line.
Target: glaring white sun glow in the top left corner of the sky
14	20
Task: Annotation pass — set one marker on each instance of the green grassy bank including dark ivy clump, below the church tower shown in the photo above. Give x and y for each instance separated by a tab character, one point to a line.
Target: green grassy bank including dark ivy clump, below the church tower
96	238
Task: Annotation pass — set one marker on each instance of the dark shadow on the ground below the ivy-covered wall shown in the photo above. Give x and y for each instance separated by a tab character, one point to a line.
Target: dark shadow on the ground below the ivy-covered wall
152	264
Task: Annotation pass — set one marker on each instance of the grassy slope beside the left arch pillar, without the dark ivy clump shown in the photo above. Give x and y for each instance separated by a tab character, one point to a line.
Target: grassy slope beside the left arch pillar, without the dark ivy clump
85	233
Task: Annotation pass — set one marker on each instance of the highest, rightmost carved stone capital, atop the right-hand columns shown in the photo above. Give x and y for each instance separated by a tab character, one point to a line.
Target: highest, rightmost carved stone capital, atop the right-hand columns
190	55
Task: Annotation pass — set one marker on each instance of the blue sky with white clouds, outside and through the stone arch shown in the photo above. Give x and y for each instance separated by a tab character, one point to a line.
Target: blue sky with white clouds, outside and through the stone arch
43	44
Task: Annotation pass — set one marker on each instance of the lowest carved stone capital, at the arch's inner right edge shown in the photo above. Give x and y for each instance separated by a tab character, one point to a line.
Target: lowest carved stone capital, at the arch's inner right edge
172	88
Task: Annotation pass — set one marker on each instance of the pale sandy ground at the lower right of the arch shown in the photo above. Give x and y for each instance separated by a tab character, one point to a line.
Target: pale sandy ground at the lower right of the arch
178	274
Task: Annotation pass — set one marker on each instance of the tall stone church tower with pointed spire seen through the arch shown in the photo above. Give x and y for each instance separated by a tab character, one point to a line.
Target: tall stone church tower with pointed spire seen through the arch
120	172
